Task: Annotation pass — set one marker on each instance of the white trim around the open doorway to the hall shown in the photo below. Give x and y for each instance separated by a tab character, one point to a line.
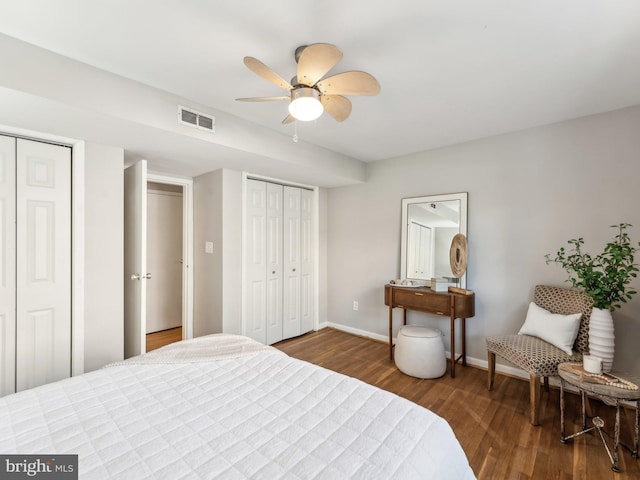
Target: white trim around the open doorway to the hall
187	246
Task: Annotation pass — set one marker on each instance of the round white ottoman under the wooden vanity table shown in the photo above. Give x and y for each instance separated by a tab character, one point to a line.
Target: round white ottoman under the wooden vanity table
420	352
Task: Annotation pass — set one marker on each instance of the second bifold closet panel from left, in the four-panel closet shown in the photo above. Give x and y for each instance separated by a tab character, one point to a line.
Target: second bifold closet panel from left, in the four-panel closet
274	212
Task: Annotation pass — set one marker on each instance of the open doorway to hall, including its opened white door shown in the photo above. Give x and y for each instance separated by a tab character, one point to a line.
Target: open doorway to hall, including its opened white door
158	257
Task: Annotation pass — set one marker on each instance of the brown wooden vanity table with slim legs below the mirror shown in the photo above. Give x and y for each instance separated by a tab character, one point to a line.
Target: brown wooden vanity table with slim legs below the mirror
423	299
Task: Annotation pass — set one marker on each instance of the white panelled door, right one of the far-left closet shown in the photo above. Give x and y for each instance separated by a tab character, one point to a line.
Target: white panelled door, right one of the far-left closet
43	263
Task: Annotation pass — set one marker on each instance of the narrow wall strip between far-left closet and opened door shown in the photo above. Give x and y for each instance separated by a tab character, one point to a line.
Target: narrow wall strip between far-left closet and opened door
104	254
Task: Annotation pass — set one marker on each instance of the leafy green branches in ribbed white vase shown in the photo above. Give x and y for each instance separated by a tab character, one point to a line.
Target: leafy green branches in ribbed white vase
606	278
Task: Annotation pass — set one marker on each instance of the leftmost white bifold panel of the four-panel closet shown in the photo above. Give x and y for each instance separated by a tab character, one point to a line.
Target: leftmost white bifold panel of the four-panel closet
256	261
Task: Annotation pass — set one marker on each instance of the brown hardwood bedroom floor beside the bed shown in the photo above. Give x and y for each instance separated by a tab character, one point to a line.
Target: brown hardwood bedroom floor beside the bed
492	427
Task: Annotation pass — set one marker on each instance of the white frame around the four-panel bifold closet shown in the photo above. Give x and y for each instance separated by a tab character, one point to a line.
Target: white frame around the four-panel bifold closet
315	234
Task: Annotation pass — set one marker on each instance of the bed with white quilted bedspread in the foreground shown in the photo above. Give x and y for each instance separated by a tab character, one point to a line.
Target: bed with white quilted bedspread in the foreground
225	406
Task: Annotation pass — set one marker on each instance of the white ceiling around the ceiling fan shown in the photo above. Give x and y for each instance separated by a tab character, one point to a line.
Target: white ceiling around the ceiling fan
450	70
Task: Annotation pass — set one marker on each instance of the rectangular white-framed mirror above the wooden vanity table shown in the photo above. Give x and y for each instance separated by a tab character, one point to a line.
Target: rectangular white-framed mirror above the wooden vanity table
428	227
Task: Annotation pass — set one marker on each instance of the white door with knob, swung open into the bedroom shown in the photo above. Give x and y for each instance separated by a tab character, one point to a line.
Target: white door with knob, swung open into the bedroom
135	258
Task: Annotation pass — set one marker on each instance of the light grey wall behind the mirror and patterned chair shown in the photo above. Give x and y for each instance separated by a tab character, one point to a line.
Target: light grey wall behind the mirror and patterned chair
529	192
